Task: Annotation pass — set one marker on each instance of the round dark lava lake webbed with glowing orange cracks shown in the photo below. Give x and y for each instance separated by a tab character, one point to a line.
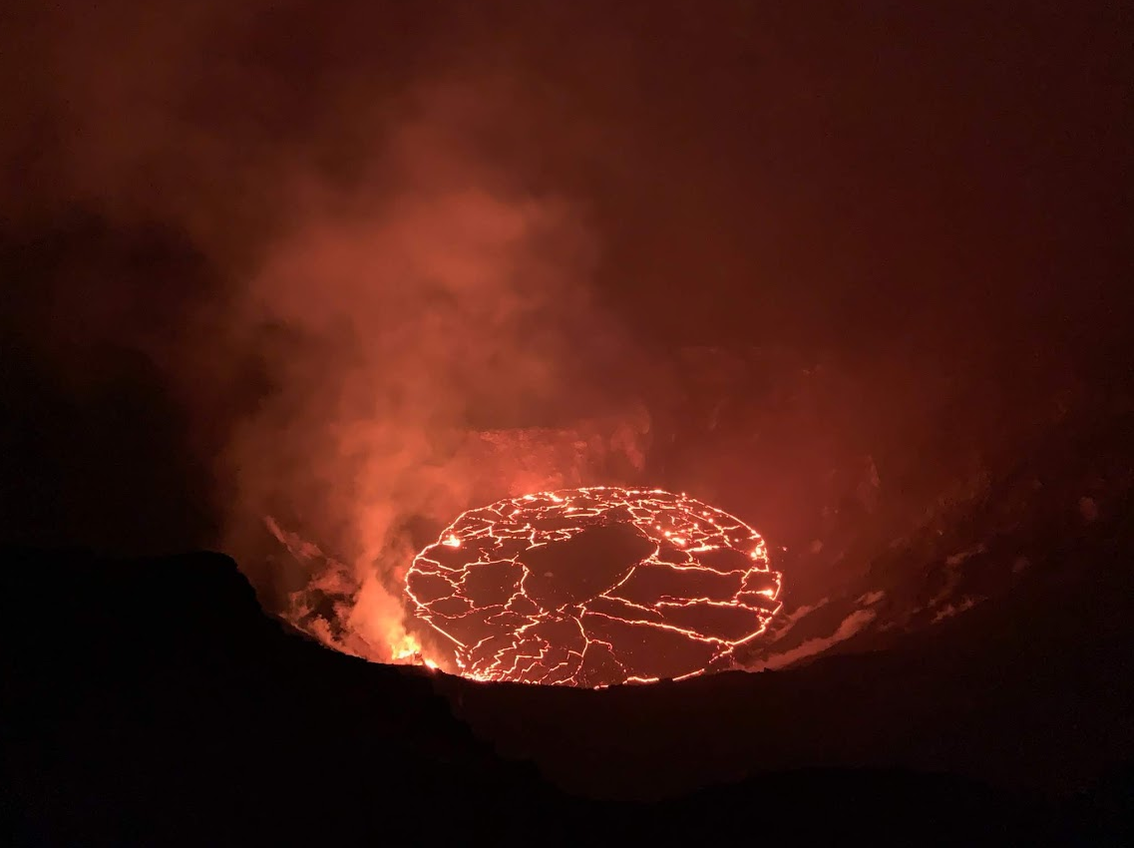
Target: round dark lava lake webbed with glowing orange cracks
595	587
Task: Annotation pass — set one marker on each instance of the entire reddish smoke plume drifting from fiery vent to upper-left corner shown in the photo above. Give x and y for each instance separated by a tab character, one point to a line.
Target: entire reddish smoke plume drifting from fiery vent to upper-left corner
394	317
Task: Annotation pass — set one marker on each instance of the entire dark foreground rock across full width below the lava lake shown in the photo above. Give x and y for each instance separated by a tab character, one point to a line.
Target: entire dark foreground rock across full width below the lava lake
153	702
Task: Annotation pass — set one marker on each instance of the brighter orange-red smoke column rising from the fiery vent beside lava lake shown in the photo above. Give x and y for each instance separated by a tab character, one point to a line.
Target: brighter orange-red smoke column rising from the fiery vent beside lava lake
428	300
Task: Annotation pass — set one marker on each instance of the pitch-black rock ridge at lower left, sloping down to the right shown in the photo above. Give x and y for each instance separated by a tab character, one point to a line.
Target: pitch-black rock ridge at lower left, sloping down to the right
151	701
